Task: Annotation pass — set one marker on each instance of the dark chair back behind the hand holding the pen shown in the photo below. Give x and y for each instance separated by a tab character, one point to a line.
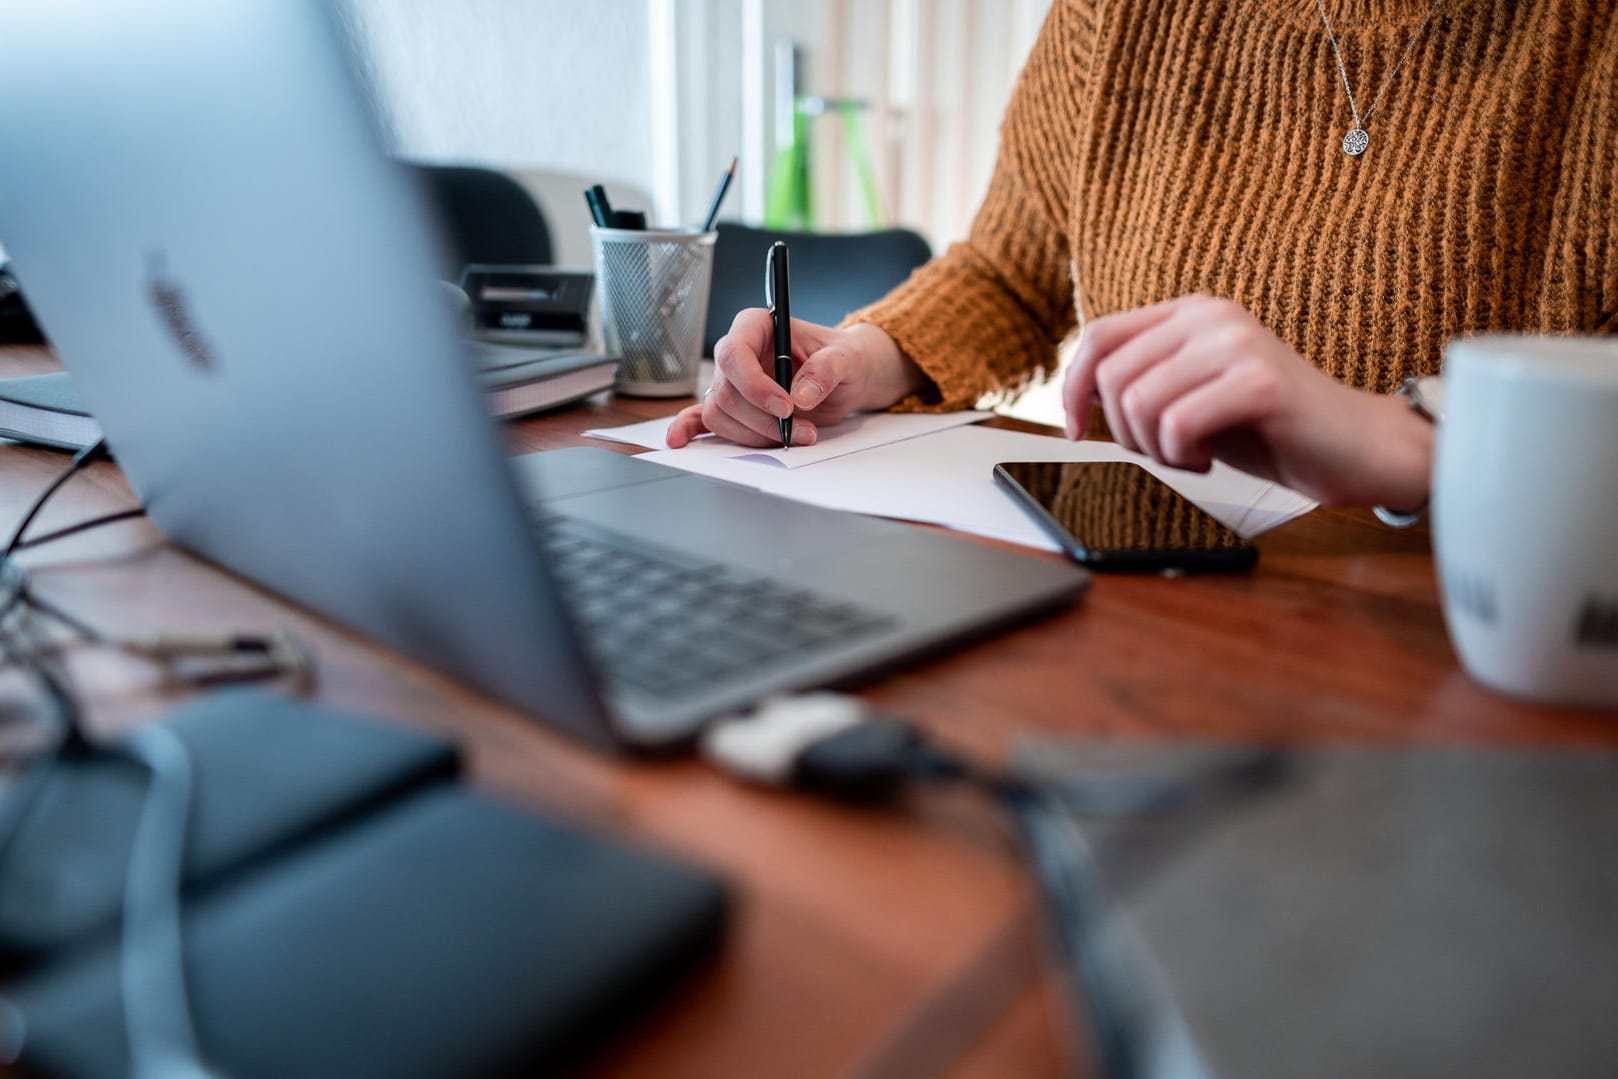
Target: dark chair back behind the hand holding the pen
832	273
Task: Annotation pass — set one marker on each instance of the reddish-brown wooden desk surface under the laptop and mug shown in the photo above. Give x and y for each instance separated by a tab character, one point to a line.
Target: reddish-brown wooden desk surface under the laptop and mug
865	944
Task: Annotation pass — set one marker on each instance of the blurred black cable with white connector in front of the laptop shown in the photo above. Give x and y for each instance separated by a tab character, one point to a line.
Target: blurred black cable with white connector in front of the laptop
836	748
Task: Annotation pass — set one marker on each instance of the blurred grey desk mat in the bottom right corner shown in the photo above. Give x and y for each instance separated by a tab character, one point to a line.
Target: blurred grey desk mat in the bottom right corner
1381	913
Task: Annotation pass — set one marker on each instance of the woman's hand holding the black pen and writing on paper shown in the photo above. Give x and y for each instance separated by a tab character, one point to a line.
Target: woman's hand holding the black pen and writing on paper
836	373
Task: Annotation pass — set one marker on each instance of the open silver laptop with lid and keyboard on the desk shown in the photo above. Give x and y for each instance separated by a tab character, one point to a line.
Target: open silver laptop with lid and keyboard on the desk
203	216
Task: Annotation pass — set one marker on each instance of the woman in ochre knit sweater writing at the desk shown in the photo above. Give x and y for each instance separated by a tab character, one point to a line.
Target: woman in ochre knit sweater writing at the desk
1266	216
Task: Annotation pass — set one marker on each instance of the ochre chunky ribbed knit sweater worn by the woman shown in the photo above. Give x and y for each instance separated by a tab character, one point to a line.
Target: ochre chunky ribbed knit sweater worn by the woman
1159	148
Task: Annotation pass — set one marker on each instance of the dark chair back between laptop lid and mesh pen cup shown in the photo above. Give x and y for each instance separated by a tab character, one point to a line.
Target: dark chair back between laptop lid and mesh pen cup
488	218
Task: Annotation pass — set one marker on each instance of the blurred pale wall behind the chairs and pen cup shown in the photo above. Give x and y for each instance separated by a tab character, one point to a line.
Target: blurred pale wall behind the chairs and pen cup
659	95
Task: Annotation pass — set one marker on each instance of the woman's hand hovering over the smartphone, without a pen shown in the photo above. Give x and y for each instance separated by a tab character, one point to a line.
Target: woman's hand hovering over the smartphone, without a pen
1200	379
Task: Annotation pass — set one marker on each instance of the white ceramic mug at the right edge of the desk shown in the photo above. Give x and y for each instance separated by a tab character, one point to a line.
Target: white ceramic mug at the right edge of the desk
1525	515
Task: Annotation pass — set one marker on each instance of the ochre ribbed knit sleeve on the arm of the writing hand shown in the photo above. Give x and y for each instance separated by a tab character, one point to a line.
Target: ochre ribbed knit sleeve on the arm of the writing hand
988	315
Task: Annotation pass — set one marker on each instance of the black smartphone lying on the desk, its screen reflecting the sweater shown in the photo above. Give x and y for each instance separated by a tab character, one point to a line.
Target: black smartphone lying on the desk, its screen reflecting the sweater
1114	515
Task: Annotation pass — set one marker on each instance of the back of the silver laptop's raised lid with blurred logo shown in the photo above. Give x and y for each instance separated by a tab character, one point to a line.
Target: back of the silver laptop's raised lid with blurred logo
240	281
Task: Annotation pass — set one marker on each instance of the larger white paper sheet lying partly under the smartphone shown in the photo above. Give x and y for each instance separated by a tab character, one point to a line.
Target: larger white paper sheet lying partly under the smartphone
947	478
